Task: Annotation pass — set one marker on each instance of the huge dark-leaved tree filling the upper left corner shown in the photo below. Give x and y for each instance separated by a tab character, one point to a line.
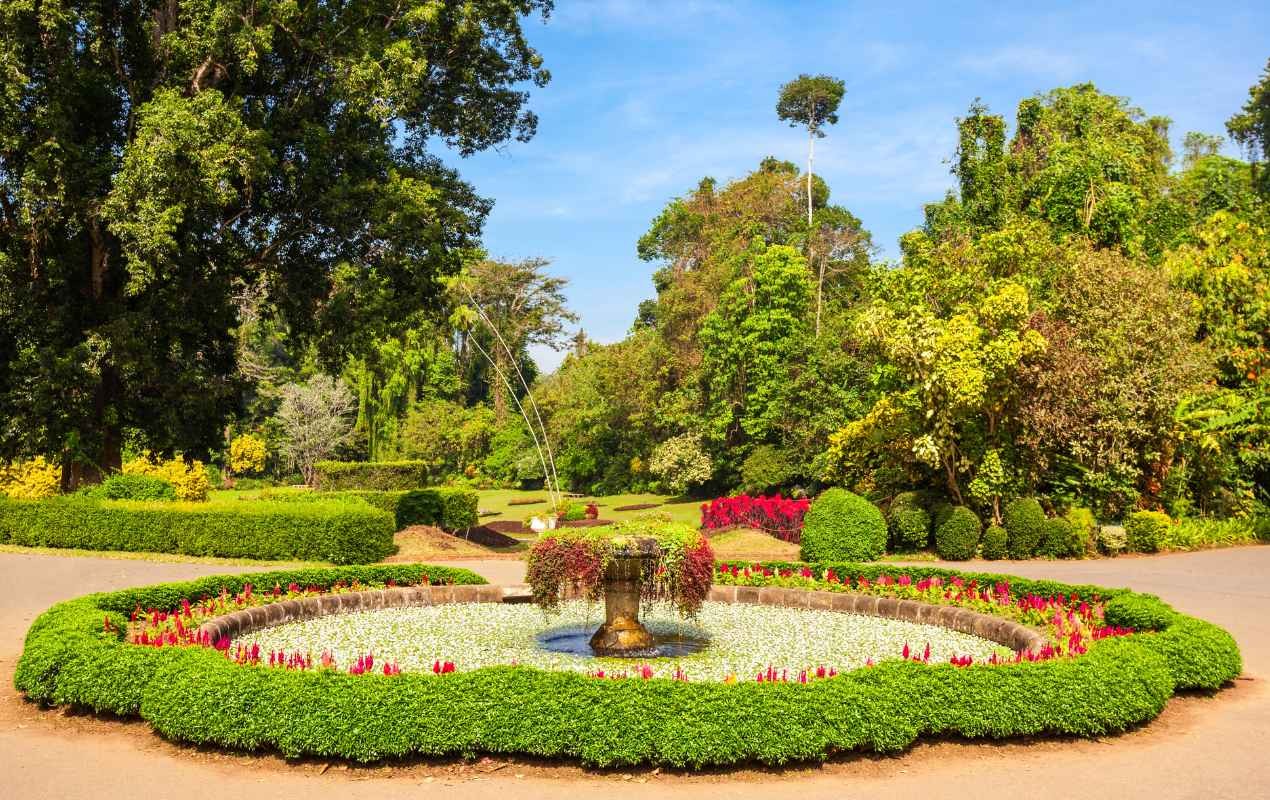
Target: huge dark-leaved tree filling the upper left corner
157	157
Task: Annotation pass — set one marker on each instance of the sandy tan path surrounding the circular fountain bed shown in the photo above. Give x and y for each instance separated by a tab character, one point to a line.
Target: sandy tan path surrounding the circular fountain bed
1201	747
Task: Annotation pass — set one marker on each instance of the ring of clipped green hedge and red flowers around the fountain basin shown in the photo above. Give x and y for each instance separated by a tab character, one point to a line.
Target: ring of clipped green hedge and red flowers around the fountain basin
1112	666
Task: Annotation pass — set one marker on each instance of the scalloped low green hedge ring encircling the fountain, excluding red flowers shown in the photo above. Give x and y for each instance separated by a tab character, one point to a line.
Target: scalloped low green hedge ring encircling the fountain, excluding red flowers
196	695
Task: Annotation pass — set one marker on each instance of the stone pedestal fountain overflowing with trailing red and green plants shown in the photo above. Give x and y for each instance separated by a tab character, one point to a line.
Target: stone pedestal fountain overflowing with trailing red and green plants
627	564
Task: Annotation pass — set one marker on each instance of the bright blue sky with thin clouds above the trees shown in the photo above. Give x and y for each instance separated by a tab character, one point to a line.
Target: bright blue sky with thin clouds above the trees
648	97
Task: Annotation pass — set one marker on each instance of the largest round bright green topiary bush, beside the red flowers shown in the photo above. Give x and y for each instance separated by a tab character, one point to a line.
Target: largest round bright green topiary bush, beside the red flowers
843	526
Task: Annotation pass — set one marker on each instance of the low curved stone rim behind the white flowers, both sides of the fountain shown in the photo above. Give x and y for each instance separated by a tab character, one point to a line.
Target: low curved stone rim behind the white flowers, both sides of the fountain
986	627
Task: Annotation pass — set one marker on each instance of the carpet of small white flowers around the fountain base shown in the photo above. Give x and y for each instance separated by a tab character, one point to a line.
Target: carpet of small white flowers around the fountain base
745	641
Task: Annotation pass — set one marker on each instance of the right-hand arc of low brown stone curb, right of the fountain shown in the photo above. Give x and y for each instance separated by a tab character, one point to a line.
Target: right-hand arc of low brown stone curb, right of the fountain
1013	636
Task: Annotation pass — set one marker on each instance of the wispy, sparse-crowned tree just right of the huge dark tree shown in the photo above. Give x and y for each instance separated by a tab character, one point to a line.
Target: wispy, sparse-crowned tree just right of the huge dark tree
524	305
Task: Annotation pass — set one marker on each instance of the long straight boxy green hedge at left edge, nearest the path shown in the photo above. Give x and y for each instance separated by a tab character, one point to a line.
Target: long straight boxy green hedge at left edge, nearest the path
337	533
